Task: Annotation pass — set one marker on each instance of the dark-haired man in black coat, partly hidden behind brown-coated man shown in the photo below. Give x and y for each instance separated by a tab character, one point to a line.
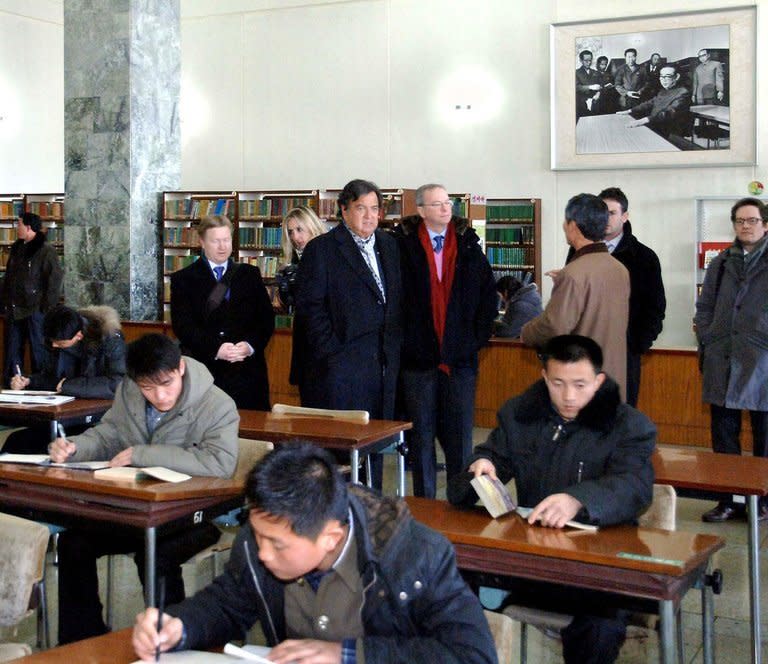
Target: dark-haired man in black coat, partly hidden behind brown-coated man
647	301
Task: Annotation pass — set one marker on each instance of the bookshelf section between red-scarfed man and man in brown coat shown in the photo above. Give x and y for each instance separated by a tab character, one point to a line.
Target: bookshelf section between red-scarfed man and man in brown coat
513	237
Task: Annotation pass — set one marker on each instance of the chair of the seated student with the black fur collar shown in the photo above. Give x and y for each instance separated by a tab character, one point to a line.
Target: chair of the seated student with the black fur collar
661	514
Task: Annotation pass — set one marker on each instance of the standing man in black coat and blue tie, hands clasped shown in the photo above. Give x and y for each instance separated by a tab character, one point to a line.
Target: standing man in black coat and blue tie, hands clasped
223	316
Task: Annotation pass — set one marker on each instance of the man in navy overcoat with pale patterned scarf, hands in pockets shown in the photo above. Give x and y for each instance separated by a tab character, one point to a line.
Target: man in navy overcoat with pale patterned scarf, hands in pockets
348	302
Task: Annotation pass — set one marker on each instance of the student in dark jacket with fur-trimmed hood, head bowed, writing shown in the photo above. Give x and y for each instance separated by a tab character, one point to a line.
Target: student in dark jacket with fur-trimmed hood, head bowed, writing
85	358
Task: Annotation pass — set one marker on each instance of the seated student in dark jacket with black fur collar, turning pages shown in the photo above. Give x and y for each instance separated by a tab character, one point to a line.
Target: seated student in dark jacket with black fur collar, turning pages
575	452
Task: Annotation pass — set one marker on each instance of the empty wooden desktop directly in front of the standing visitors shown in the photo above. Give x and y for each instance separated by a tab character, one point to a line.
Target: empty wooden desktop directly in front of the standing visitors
327	432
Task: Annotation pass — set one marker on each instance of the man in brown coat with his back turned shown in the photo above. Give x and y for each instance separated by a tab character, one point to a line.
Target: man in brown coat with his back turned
590	295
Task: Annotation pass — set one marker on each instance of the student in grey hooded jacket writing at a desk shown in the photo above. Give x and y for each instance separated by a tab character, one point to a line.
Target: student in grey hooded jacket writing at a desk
167	412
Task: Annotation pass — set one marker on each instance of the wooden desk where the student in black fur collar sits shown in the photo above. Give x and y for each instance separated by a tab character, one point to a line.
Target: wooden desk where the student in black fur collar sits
645	563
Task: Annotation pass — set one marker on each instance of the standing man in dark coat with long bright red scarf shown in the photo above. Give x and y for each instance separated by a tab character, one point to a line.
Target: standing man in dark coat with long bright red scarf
449	303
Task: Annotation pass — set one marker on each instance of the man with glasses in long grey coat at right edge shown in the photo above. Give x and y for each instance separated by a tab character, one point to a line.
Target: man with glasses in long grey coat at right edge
732	328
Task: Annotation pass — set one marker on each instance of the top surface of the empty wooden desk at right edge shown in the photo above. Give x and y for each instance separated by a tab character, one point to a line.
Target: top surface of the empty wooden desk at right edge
709	471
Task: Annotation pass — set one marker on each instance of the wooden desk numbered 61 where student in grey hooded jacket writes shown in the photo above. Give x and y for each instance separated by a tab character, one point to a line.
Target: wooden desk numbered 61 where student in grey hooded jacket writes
71	497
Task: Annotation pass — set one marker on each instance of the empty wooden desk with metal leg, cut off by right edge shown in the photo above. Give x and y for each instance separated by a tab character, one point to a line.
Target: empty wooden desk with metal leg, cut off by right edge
727	474
